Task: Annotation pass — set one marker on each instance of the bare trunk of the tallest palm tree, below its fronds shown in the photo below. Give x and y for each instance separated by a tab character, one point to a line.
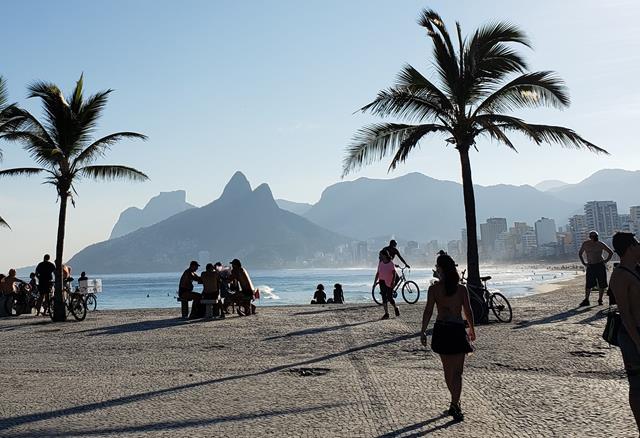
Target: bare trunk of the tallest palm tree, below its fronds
473	264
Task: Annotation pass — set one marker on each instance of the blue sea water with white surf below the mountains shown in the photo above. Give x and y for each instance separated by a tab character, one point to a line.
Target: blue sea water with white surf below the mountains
296	286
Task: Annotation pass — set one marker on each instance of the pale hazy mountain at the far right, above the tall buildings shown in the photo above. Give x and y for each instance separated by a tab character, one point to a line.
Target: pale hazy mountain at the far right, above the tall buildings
622	186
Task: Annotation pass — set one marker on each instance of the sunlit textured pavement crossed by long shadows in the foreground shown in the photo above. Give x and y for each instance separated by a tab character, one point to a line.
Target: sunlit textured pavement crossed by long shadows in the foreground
312	371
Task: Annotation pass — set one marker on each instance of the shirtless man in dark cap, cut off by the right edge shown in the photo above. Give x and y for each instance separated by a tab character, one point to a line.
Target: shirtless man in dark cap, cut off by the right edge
625	286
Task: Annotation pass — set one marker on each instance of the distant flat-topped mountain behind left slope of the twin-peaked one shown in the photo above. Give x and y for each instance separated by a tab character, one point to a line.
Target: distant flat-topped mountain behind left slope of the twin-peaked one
160	207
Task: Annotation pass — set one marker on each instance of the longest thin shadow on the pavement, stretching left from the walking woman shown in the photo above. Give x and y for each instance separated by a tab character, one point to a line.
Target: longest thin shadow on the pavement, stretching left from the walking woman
6	423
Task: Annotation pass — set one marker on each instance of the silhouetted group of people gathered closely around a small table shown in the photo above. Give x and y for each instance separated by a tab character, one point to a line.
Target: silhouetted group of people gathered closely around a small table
223	285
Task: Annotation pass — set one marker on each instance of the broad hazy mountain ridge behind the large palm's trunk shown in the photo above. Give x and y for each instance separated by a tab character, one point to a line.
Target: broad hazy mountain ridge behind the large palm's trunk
422	208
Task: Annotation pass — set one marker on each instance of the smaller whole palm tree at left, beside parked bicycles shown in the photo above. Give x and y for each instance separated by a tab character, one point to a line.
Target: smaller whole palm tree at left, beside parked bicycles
64	148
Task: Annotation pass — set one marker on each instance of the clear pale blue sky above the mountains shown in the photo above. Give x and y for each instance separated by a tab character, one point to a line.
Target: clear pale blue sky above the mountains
271	88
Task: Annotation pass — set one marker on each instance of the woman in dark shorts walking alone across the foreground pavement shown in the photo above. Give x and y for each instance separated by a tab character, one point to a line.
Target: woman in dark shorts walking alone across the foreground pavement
450	339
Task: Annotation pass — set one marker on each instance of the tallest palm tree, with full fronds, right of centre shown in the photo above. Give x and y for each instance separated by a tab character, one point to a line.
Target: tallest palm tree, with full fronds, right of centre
476	87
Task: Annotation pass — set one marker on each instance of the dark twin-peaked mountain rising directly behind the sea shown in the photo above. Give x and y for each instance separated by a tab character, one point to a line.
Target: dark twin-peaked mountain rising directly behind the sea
242	223
